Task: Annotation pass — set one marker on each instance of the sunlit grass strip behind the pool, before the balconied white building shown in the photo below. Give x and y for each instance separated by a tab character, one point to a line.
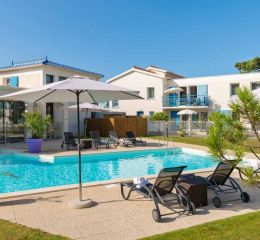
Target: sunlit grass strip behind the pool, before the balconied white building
201	141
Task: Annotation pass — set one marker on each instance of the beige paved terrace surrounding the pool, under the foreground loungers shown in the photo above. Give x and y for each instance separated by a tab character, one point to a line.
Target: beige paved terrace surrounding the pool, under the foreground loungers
111	217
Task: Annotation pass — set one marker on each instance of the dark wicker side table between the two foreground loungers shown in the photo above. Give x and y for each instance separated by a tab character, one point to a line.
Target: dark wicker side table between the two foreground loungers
196	189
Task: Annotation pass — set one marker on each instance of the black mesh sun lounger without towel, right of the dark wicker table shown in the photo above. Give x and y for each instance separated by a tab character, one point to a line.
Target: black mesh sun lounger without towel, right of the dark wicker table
221	182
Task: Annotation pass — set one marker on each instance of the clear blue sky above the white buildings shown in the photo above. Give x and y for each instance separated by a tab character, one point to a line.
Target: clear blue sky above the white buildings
193	38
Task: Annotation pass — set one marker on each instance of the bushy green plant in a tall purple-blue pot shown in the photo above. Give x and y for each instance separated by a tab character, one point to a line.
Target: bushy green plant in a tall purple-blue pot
36	124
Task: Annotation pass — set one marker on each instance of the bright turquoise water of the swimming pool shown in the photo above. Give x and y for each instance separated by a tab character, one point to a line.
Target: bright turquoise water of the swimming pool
24	172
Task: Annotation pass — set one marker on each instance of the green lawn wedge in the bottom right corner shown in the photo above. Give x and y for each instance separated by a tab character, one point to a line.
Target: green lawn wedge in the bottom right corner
244	227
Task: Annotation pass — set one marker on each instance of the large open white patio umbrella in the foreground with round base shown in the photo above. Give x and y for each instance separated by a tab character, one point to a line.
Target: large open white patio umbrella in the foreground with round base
74	89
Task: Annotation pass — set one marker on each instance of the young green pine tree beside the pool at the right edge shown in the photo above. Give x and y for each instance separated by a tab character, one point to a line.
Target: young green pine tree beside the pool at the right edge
229	133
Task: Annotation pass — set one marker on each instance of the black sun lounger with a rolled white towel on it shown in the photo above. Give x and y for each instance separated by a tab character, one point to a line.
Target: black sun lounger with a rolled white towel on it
162	192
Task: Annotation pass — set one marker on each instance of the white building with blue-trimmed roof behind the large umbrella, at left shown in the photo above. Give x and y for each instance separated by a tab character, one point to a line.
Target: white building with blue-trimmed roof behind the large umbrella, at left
35	73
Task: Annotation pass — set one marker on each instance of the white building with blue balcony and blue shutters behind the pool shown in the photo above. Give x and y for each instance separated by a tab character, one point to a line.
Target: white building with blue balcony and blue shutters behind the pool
202	94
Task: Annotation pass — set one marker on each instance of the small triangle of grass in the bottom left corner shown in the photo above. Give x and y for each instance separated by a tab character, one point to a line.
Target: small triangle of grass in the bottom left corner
13	231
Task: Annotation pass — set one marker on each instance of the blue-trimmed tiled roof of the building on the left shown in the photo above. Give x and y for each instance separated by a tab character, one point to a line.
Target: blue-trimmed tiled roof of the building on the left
45	61
